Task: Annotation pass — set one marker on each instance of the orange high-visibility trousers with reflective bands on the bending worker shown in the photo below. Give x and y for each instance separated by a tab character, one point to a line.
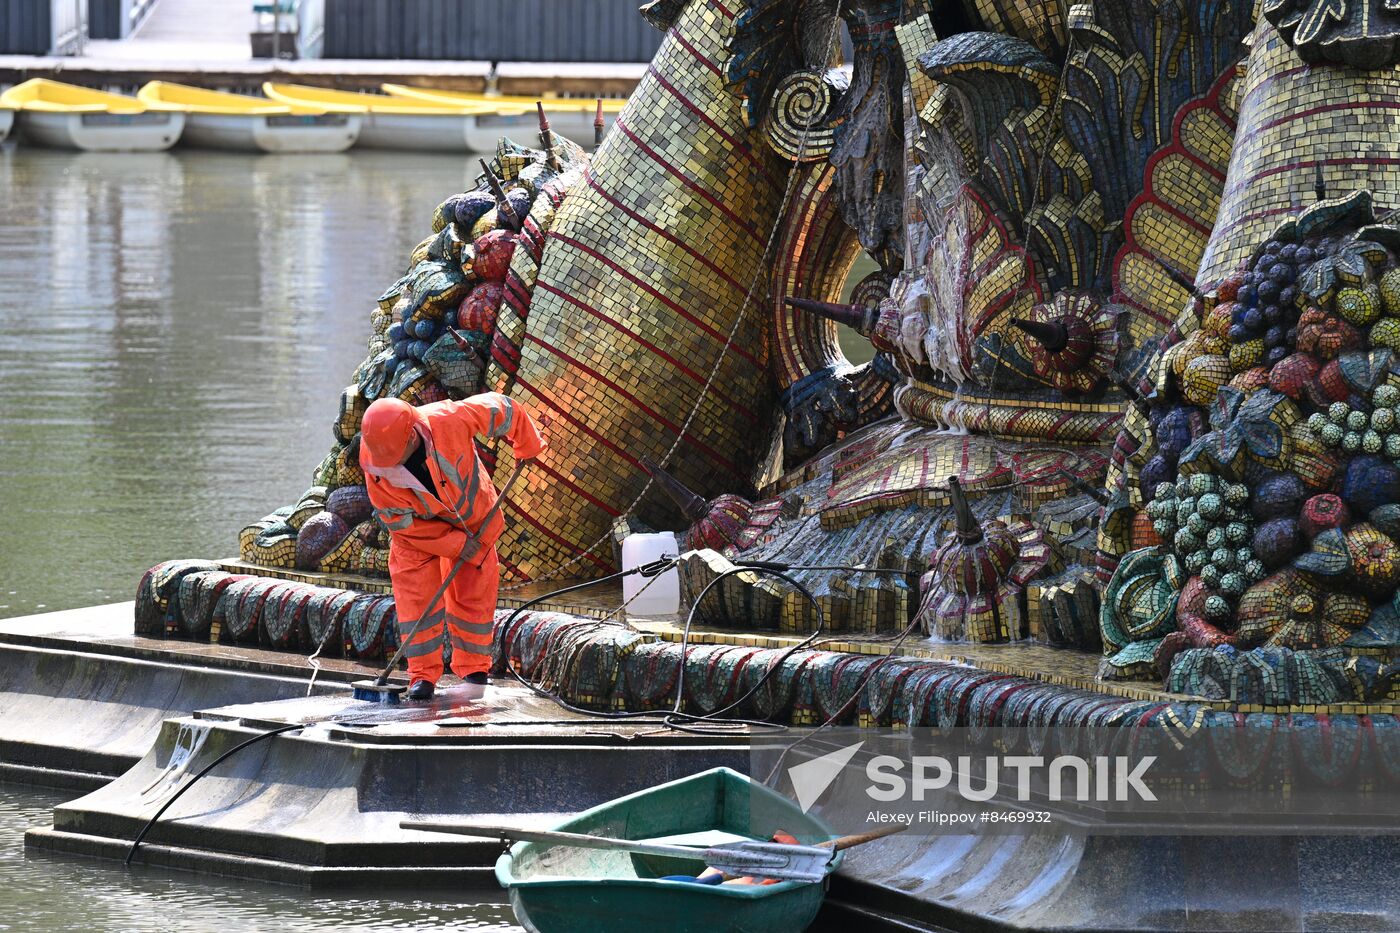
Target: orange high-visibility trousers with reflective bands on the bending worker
468	610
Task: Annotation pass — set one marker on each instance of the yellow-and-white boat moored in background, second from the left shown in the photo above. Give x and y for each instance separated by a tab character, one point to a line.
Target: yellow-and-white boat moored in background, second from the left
218	120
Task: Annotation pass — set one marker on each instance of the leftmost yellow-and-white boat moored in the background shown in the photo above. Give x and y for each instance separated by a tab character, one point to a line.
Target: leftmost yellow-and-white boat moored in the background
72	117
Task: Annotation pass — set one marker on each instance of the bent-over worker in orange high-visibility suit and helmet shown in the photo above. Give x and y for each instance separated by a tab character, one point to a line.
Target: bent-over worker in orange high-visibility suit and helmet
432	492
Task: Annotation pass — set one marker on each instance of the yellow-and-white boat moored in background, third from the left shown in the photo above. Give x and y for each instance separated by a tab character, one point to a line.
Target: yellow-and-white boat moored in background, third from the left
393	123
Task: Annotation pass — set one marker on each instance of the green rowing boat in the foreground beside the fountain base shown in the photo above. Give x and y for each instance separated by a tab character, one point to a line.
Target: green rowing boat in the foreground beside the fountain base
566	890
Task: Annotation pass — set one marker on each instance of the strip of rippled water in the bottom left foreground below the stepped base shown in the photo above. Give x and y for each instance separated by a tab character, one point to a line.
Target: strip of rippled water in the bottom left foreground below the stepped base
72	894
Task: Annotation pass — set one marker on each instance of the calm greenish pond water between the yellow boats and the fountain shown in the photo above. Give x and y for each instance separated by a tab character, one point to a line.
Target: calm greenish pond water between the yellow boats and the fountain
176	330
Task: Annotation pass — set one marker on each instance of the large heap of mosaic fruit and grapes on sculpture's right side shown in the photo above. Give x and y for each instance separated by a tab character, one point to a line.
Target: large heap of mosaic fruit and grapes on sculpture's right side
1273	485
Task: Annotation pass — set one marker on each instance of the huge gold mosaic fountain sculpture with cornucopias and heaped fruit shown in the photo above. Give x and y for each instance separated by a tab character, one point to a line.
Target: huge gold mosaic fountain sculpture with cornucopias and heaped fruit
1137	330
